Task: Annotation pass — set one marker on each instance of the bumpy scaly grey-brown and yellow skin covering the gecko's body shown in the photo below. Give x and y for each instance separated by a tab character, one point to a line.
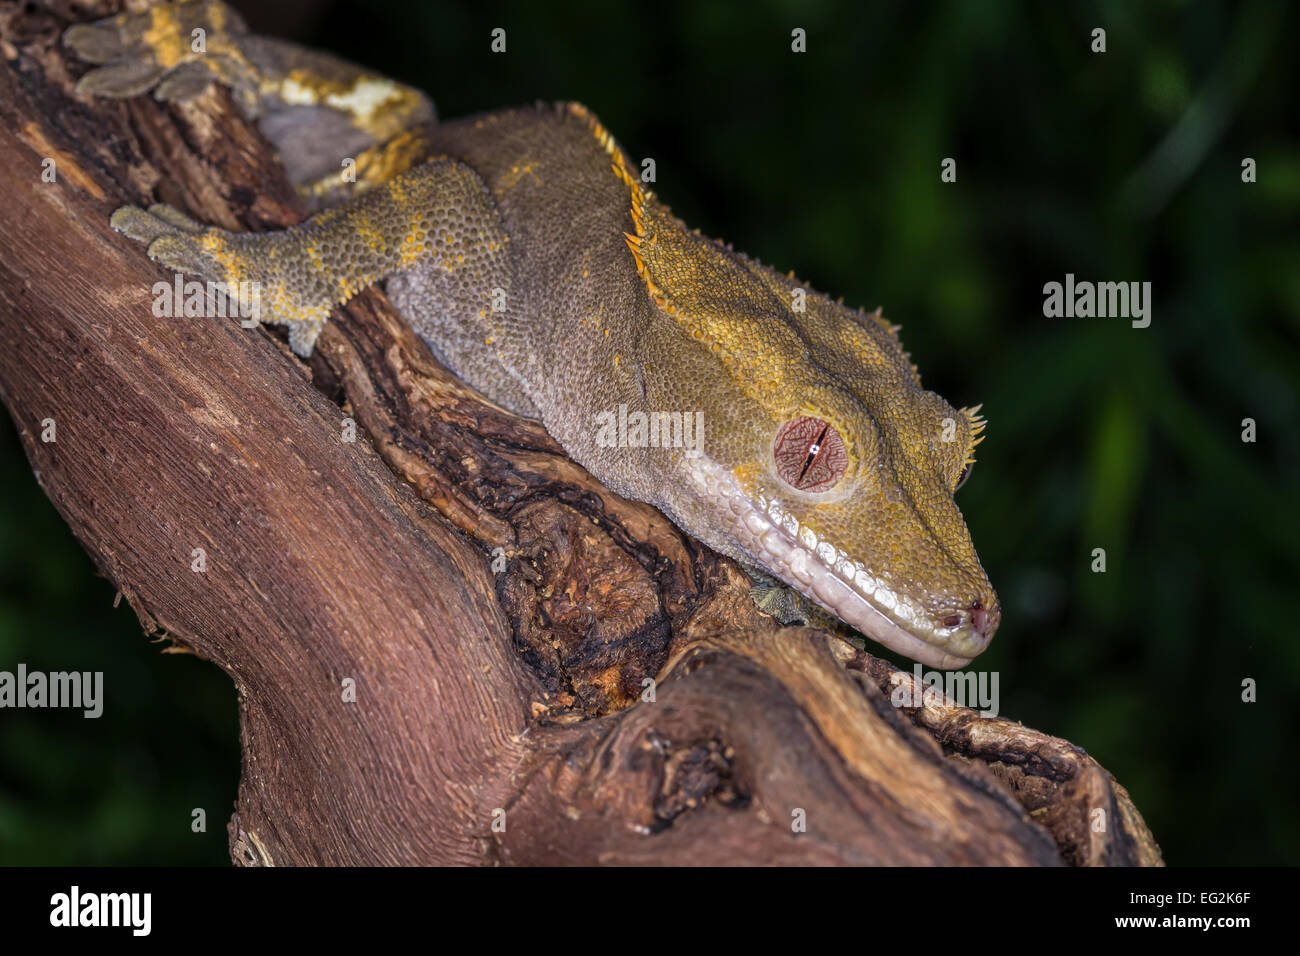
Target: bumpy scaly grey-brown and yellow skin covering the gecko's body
534	263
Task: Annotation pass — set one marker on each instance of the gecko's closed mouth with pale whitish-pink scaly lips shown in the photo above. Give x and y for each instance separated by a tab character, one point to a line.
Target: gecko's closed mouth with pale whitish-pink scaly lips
820	572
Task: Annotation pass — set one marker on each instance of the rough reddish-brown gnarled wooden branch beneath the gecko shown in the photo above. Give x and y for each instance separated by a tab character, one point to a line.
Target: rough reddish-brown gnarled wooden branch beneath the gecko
482	697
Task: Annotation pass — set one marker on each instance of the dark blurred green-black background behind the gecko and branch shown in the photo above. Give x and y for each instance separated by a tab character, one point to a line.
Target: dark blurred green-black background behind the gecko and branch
1116	167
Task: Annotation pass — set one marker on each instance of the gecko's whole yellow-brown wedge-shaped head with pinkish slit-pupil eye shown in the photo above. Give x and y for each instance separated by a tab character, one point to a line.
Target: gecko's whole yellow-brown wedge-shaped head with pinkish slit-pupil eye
824	460
